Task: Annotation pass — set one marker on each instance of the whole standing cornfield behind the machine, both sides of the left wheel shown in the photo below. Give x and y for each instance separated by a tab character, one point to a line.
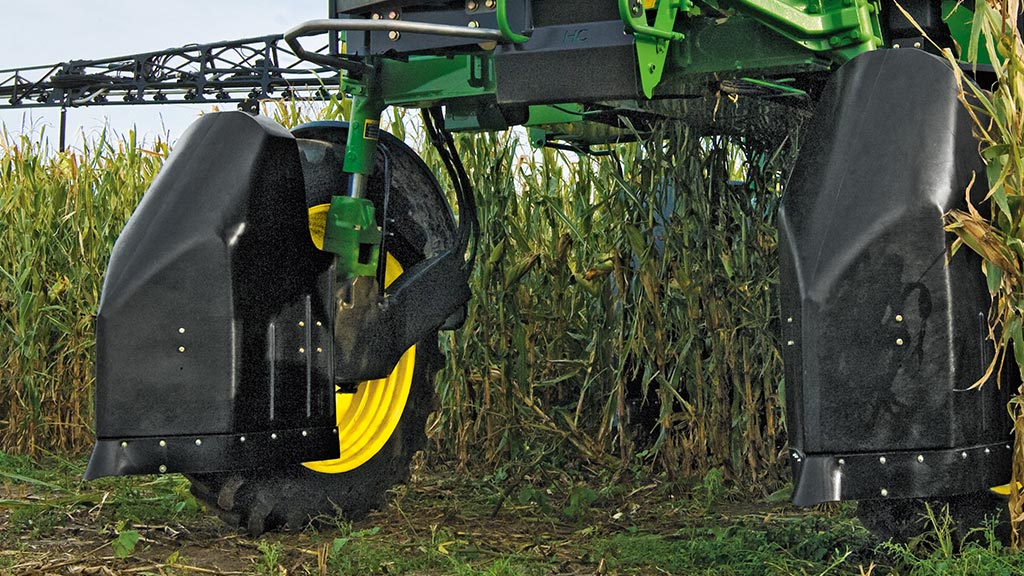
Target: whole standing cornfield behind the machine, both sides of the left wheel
624	306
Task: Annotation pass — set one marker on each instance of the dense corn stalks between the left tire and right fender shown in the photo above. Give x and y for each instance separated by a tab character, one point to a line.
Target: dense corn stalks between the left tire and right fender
609	284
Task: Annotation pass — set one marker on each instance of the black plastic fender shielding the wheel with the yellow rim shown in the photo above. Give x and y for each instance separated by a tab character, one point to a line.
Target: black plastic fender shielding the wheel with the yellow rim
215	340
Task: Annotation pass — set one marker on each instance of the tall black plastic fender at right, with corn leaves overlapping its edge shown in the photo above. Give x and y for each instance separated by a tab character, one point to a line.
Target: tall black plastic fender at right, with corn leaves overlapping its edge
882	337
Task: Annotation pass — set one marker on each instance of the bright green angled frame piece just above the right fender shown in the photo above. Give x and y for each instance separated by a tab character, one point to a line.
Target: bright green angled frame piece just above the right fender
842	28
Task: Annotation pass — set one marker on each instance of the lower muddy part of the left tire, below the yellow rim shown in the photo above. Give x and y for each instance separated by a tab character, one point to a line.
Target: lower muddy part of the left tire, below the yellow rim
292	497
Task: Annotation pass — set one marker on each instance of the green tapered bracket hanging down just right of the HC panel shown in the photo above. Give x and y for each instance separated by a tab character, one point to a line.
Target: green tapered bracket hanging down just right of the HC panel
653	42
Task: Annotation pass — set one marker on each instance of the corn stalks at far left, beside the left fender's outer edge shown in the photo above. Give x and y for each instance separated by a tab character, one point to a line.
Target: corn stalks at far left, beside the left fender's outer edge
62	214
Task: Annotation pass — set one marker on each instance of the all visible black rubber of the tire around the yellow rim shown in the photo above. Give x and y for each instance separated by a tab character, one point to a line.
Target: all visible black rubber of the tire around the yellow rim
292	496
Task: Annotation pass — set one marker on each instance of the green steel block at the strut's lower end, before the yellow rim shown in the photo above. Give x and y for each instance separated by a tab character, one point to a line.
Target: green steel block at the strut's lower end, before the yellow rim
352	234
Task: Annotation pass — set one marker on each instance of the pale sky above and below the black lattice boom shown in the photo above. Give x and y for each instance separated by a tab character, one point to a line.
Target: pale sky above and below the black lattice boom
55	31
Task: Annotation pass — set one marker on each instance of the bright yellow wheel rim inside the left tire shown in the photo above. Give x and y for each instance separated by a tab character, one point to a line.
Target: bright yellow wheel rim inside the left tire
368	419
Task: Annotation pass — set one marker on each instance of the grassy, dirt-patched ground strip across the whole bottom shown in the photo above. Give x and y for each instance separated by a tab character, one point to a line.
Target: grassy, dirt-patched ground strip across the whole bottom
445	523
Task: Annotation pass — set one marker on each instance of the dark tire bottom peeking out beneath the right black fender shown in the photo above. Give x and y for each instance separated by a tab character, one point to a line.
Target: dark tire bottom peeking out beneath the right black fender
906	519
